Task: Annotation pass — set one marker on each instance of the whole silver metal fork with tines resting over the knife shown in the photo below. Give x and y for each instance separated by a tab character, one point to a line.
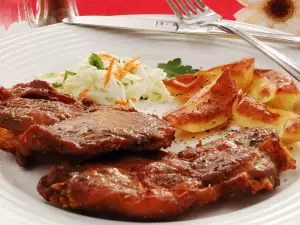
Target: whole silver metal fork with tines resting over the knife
198	13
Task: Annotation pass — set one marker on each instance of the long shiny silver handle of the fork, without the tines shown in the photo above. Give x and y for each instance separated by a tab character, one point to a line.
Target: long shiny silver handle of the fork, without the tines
287	64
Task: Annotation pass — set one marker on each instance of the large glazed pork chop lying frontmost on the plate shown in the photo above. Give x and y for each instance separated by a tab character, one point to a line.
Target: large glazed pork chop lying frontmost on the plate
163	185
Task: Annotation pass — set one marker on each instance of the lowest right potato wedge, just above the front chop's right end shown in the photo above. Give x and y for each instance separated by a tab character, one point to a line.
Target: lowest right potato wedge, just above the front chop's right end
248	112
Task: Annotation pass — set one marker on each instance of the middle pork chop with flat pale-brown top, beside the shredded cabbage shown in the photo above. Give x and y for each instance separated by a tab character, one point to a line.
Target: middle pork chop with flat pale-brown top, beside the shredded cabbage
104	129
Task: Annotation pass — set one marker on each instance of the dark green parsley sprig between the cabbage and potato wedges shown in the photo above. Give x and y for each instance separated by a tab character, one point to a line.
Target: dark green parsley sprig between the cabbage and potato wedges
175	68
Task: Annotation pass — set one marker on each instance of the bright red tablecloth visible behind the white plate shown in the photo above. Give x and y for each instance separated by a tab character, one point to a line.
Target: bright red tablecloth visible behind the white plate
120	7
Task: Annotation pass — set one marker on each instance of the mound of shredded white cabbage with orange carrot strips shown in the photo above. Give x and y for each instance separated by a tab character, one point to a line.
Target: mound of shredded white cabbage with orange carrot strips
140	83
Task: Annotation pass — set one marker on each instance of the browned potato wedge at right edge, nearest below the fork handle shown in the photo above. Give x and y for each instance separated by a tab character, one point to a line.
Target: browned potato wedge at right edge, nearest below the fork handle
274	88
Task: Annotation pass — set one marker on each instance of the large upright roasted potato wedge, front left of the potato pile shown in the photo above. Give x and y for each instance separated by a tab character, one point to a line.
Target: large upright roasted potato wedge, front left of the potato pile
209	108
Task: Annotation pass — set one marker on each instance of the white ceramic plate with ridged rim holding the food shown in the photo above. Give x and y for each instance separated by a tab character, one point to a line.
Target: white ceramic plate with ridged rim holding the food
59	47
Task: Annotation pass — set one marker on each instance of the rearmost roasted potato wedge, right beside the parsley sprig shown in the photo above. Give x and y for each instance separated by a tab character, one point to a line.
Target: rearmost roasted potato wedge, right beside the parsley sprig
187	85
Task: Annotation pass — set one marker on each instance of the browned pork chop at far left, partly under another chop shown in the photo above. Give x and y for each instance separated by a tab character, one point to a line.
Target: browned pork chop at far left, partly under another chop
32	103
